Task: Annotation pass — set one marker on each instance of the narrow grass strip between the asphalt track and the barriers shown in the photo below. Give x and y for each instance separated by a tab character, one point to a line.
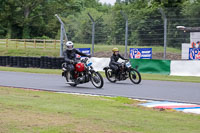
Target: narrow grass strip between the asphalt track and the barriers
144	76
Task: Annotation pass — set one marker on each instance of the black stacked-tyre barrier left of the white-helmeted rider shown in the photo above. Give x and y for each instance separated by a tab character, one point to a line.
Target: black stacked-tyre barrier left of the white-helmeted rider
35	62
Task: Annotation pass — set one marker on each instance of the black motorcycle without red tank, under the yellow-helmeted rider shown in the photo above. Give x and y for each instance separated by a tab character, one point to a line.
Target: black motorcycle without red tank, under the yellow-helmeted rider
125	72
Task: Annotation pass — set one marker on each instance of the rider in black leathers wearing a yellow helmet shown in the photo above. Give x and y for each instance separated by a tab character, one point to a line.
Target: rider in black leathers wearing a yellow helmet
114	65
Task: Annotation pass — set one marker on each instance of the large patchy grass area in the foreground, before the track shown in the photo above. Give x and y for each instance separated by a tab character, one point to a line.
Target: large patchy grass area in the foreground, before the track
47	112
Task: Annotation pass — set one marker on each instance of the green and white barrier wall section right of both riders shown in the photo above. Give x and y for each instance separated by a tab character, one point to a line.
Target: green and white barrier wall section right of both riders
175	68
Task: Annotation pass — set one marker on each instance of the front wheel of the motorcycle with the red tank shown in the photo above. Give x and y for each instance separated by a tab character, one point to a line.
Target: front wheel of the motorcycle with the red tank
97	79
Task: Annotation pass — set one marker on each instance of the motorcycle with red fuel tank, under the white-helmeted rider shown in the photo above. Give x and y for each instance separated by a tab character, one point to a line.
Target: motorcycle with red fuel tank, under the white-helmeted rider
83	73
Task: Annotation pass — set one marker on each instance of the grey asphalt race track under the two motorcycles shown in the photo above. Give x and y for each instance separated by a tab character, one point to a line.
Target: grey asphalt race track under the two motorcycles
147	89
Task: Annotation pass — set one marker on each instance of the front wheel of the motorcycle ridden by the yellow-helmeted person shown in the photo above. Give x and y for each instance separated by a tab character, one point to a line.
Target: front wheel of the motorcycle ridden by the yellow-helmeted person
135	76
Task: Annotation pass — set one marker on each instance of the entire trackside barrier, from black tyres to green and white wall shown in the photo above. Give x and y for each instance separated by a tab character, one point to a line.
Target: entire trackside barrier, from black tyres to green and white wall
176	68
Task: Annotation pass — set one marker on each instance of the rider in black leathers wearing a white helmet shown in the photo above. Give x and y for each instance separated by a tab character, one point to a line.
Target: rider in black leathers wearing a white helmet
70	57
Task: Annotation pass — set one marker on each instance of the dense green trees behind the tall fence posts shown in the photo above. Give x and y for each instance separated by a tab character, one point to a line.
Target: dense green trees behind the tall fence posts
36	19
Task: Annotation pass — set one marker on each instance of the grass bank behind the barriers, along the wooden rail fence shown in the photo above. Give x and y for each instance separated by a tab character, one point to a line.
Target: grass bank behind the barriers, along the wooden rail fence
40	50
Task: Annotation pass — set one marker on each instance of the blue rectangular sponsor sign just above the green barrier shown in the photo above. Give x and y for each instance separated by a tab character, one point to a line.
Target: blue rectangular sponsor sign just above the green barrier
141	53
